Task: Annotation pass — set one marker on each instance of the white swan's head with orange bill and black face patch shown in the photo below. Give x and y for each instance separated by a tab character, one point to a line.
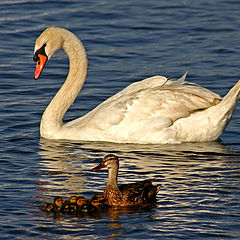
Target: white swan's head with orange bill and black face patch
46	45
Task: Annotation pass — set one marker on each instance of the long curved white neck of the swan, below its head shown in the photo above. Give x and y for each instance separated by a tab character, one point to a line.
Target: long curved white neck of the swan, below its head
54	113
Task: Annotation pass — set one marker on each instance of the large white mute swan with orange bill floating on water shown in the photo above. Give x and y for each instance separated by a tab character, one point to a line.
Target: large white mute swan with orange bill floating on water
154	110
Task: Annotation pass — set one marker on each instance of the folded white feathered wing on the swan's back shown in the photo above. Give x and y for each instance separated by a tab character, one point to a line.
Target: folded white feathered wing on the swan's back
154	102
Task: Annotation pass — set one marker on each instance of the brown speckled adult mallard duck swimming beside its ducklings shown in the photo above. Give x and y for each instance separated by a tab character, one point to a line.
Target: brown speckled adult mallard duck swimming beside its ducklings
139	193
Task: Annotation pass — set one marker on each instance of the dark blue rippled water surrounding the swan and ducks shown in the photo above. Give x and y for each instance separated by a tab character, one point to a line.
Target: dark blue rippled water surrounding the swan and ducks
126	41
